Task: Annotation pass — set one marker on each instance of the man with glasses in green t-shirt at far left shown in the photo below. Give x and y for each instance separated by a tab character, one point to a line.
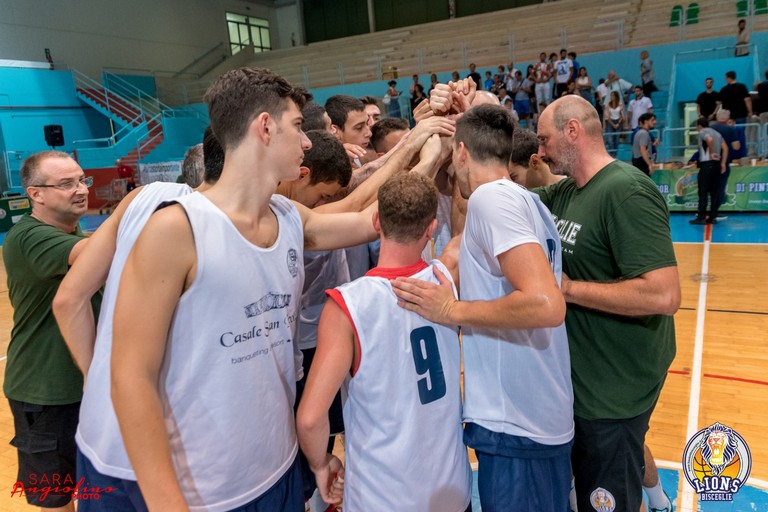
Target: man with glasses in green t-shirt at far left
42	382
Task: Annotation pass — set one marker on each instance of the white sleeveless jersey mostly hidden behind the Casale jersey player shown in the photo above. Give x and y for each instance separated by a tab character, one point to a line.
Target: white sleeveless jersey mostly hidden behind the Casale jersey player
98	434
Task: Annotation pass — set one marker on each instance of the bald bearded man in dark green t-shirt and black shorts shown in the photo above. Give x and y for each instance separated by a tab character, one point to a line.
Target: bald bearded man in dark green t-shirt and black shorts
621	283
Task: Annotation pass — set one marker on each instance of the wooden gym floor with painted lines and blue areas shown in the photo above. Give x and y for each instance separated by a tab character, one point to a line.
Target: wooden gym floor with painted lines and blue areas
720	372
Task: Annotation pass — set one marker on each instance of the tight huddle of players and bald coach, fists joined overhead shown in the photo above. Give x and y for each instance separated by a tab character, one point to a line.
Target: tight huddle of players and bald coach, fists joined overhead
552	305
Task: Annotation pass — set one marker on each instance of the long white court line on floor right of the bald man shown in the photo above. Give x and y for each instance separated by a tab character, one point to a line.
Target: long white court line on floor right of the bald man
687	502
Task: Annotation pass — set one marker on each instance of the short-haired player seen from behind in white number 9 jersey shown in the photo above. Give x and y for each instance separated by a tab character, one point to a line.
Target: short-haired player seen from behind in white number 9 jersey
403	412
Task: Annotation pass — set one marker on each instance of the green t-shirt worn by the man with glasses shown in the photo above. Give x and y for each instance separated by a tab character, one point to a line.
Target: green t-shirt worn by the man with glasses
39	369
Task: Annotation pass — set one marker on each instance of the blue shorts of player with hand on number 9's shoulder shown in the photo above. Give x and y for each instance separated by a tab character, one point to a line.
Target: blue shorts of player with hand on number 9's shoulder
515	473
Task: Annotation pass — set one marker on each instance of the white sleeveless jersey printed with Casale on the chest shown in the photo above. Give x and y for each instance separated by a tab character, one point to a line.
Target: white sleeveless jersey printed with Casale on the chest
227	383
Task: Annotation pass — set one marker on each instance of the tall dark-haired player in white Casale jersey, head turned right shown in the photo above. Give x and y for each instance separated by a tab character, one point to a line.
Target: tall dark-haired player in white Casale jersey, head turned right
203	385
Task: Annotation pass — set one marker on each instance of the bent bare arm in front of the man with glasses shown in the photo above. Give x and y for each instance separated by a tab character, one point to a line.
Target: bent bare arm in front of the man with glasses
72	304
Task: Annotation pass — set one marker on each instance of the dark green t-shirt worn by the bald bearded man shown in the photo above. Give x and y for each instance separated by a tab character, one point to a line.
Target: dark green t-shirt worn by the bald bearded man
616	227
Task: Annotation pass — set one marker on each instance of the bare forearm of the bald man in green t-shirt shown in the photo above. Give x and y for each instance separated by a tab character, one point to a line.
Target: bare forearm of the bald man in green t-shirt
654	293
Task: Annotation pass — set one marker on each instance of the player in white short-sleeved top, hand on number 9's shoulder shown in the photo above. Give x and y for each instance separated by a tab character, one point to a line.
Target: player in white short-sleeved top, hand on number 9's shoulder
518	396
